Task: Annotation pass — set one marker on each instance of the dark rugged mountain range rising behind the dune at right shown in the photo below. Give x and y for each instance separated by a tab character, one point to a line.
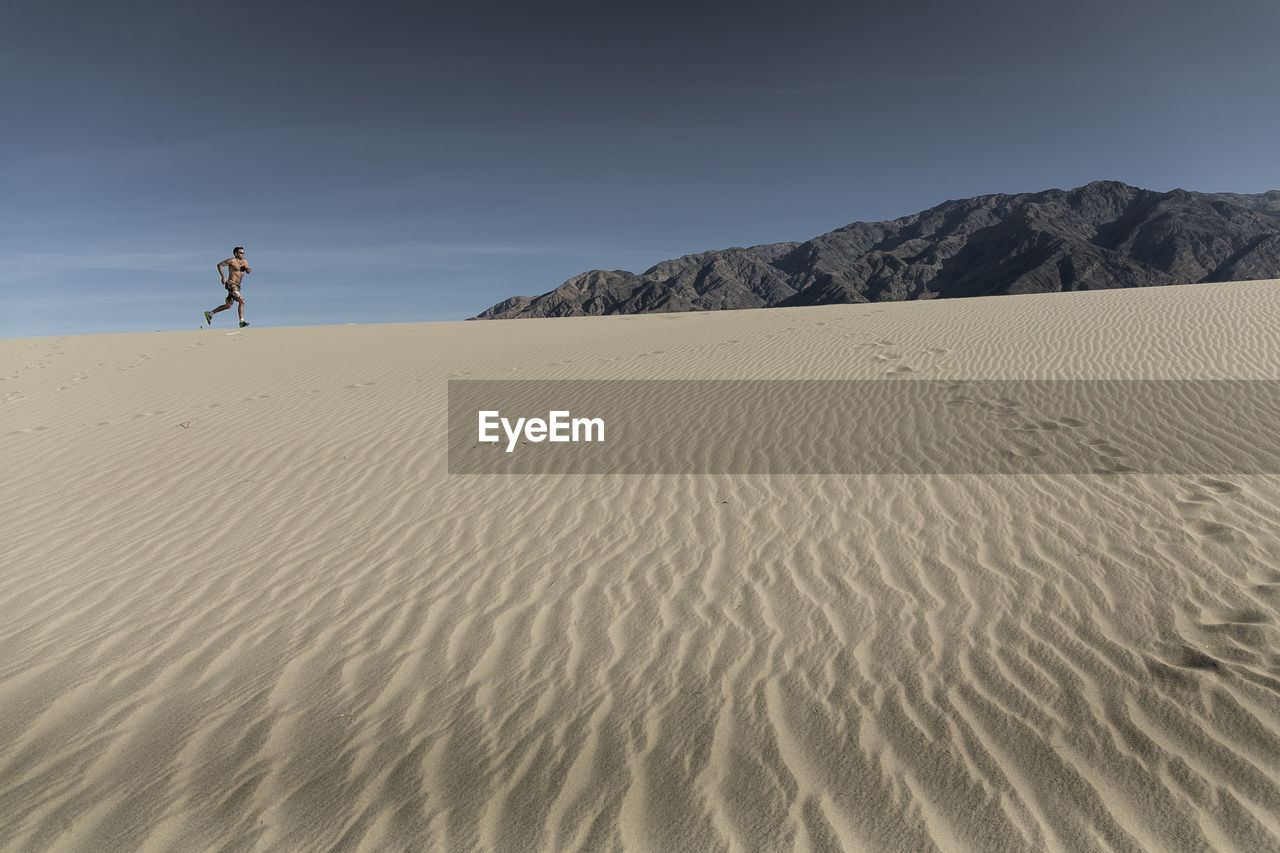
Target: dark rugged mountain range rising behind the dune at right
1105	235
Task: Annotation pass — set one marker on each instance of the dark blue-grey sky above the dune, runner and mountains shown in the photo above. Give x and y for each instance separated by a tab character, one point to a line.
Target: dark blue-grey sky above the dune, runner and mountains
403	162
